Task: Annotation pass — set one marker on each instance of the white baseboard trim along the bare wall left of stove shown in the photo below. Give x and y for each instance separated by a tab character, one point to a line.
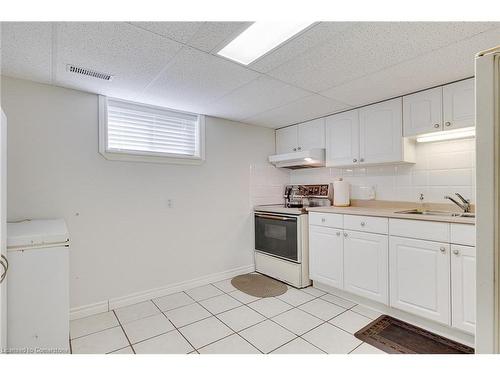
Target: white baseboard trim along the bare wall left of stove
113	303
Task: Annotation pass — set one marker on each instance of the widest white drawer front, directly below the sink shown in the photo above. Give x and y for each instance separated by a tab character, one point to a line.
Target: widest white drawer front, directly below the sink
425	230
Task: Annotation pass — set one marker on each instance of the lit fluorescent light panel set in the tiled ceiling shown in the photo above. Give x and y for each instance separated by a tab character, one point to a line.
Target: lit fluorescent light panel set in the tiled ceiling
260	38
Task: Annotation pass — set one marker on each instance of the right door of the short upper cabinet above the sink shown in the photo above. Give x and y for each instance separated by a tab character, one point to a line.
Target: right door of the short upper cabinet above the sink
459	104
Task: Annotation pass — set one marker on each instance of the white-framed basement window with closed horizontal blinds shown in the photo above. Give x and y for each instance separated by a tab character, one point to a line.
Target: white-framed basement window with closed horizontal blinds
131	131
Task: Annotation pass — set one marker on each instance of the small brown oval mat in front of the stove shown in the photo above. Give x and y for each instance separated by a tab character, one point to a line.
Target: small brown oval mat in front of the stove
259	285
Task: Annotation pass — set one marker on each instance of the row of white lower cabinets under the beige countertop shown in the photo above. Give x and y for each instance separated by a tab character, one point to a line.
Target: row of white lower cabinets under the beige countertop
419	267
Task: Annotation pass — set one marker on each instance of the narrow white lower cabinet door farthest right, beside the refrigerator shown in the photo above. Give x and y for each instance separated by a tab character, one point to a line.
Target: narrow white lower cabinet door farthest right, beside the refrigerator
463	287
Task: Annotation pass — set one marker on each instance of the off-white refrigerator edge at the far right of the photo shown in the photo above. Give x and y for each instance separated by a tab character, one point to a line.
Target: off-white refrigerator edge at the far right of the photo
487	66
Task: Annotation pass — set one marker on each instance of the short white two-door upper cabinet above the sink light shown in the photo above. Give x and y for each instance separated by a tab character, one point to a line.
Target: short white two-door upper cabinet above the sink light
442	108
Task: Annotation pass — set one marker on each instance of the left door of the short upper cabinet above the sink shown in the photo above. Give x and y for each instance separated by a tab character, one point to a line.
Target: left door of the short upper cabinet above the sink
423	112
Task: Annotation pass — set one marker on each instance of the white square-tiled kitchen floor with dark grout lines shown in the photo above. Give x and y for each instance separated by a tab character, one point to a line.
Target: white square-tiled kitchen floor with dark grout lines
217	318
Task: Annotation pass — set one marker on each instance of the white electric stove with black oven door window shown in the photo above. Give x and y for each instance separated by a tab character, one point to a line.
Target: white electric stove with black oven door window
281	233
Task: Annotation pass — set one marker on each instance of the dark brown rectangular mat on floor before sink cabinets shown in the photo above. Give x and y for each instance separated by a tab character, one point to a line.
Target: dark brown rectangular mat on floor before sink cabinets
395	336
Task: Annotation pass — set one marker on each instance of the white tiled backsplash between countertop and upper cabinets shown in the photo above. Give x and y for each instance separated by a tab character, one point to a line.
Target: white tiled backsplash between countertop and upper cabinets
442	168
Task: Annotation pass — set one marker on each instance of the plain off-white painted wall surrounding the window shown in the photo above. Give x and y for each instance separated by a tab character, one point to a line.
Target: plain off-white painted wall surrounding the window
125	239
